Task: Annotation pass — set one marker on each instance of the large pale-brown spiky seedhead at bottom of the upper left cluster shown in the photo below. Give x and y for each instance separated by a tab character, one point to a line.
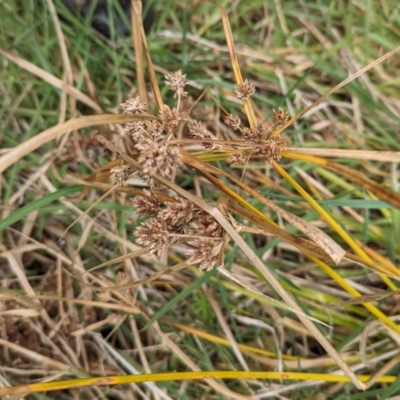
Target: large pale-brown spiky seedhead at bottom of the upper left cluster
156	158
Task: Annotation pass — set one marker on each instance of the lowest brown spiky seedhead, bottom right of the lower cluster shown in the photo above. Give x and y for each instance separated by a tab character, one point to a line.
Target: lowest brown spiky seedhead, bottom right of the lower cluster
207	253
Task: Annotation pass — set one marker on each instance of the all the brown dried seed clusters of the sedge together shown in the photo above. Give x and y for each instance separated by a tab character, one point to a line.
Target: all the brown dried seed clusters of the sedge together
181	221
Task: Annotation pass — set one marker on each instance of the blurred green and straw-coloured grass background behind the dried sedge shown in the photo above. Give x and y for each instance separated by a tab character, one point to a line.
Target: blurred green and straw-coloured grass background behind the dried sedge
293	52
